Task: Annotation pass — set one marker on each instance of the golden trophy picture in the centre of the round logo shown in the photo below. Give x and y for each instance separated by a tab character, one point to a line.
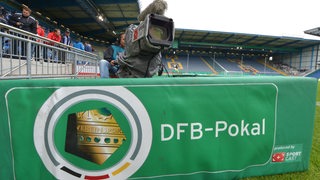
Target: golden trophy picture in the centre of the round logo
93	135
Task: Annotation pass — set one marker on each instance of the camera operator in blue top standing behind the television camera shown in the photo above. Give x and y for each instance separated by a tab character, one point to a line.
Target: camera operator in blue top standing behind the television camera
109	64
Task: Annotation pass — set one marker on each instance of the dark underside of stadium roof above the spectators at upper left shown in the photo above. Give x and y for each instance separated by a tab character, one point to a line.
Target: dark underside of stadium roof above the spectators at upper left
82	16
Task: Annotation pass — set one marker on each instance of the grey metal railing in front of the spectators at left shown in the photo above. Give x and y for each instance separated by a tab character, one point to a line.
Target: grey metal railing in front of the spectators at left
24	55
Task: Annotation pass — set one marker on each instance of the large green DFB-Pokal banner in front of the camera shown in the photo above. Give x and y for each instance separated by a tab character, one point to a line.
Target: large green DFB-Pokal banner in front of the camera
156	128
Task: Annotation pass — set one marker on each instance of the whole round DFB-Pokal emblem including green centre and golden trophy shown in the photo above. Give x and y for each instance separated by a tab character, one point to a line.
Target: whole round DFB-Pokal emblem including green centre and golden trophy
103	133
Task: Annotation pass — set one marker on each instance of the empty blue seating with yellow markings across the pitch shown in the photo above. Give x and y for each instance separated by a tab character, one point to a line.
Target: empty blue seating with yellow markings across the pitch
219	65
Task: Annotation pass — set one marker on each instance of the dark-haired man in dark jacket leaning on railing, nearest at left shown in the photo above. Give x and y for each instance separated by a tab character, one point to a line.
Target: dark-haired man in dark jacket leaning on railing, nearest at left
25	22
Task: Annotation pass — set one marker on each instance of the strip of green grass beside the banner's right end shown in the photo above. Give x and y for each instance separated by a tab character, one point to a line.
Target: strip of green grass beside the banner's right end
314	167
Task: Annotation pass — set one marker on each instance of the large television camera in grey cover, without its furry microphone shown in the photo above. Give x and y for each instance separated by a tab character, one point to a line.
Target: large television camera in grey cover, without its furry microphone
144	43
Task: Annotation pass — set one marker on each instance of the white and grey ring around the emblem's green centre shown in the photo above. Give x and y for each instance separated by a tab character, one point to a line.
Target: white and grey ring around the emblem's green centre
119	97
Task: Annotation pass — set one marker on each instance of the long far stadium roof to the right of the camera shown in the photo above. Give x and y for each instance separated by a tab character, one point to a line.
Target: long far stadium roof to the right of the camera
215	40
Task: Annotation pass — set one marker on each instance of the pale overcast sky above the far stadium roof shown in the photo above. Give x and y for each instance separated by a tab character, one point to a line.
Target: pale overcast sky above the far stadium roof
267	17
